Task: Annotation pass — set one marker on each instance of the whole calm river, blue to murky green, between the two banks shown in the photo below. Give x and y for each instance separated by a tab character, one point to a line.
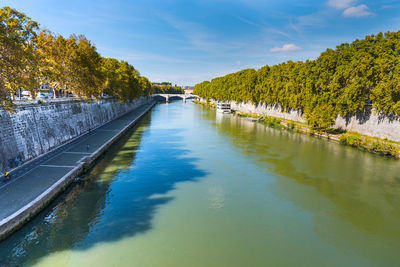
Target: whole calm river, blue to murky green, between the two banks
189	187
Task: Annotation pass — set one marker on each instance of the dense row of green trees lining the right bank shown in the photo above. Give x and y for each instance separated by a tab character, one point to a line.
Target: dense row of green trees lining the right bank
339	81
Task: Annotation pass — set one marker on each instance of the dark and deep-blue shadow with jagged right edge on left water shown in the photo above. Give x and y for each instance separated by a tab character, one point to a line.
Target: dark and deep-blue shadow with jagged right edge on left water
117	198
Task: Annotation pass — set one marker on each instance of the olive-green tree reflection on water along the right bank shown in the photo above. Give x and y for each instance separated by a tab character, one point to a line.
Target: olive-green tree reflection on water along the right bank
356	187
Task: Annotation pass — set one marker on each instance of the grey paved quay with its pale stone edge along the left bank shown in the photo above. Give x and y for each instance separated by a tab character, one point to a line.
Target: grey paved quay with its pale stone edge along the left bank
49	175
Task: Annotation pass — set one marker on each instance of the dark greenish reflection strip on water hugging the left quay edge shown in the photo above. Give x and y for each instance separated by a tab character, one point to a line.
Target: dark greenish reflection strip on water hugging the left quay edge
76	211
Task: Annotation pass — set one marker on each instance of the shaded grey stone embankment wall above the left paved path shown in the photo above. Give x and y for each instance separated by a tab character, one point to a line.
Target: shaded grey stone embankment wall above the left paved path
34	129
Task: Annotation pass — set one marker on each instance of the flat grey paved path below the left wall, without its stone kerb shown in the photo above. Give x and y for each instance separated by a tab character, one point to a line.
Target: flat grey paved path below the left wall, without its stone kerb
32	179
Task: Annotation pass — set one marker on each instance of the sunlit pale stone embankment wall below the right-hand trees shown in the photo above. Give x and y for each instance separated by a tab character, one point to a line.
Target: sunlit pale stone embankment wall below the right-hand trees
369	122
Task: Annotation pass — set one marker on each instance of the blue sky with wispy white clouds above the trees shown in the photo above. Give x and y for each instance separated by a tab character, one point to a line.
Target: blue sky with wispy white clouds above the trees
186	42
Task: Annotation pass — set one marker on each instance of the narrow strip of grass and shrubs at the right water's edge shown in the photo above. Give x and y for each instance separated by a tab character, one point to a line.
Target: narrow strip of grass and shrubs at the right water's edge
376	145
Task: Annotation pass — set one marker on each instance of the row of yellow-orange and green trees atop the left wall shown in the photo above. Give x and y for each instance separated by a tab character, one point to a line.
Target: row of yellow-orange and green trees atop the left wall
69	65
